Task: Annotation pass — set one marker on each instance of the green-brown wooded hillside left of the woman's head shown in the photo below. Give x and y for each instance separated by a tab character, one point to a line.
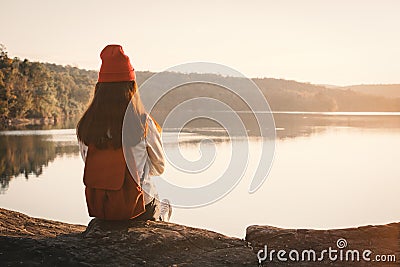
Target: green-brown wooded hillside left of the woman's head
42	90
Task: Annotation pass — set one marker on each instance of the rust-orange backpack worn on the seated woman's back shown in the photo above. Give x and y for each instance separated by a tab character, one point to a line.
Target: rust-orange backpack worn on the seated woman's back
111	191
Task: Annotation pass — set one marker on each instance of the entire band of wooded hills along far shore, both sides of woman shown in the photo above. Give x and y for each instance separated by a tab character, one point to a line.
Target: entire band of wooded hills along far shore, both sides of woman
42	90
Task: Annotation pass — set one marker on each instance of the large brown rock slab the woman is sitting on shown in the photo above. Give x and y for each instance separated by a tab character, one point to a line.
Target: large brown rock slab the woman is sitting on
31	241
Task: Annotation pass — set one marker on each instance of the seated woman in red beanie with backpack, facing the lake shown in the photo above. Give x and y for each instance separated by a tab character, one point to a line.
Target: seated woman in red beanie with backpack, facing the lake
114	191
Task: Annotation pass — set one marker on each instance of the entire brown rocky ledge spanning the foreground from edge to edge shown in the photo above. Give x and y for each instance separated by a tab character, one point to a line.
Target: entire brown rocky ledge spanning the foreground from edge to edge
30	241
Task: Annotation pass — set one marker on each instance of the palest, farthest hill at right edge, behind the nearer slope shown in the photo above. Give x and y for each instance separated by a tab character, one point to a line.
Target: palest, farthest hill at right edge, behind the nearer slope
386	90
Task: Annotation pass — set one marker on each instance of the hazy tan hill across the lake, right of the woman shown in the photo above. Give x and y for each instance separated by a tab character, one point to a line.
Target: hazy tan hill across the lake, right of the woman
282	95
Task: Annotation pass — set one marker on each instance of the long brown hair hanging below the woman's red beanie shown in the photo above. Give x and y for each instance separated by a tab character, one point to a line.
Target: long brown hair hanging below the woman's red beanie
101	124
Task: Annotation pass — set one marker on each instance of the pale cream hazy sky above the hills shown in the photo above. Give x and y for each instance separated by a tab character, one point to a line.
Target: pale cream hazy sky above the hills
331	42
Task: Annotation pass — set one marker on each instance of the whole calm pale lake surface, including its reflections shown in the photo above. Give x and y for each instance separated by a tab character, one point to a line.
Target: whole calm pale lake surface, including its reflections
329	171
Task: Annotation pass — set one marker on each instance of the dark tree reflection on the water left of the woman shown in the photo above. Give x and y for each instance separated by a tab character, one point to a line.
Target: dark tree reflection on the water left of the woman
24	153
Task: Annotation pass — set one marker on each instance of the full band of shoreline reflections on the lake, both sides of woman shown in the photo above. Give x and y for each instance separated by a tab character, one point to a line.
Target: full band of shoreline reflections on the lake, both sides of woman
28	151
